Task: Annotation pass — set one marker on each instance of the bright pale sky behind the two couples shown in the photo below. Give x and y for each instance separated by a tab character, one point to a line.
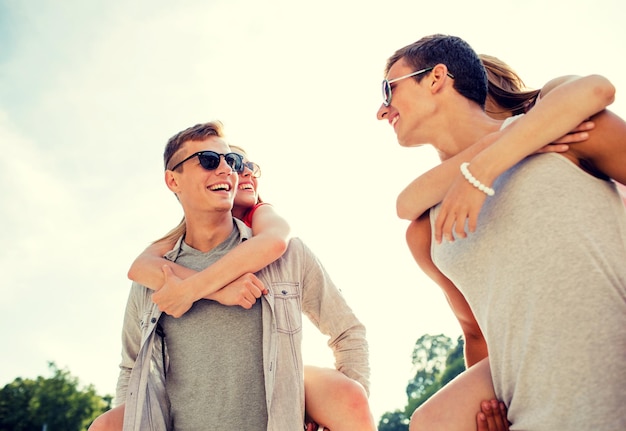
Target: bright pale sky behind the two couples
91	91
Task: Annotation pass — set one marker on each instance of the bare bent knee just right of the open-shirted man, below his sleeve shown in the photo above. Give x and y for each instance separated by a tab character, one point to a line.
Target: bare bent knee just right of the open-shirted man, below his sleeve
335	401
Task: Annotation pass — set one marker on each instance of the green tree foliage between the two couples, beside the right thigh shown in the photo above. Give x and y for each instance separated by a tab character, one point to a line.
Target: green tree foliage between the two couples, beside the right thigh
436	360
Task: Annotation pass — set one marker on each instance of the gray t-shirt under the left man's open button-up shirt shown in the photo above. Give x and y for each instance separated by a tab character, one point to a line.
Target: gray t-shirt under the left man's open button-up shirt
215	379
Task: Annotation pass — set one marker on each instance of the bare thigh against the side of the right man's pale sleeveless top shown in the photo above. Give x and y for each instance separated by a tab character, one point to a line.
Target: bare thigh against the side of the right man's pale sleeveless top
454	407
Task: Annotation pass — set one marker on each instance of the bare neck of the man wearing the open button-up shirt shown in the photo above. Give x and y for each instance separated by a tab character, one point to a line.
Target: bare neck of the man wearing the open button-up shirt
207	232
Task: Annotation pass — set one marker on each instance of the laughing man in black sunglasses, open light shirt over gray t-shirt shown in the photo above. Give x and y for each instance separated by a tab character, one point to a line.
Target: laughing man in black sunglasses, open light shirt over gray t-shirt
221	367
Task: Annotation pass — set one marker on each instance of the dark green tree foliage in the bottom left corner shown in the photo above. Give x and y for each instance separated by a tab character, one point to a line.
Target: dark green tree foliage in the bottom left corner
55	403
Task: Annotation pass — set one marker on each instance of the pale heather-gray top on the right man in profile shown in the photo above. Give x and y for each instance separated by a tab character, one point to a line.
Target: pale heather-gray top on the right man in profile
545	275
